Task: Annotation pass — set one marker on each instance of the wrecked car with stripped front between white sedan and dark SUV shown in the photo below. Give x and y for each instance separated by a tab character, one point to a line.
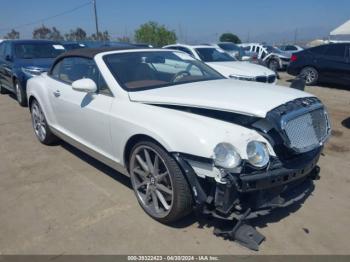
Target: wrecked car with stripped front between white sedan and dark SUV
272	57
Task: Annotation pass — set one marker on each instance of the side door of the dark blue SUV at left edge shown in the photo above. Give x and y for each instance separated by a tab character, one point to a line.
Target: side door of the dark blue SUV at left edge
6	65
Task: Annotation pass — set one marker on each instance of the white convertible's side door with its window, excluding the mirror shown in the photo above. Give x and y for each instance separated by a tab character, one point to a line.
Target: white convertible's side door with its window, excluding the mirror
81	116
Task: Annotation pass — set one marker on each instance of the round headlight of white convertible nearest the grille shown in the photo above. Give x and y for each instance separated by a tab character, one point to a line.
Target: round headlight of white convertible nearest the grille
258	155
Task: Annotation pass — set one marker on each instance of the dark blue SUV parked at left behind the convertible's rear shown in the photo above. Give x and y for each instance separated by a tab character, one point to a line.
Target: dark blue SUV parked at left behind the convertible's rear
22	59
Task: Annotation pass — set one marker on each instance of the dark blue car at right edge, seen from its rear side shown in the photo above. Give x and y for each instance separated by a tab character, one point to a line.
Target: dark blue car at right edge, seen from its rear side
328	63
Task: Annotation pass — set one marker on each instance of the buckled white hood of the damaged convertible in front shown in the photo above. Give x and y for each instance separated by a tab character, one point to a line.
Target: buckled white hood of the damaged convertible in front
242	97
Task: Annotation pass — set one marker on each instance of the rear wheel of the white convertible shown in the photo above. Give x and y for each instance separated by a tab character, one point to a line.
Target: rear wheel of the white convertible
41	128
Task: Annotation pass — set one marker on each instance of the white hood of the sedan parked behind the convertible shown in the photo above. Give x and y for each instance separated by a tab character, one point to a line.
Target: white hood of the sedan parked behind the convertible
240	68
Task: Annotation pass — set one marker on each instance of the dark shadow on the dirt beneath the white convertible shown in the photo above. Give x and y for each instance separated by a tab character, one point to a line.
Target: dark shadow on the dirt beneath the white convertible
203	221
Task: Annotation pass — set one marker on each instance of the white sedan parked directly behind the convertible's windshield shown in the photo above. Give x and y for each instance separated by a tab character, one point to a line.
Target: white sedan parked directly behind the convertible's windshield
227	65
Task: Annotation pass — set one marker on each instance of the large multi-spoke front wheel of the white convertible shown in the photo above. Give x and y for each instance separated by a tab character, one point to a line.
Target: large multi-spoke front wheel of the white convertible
162	192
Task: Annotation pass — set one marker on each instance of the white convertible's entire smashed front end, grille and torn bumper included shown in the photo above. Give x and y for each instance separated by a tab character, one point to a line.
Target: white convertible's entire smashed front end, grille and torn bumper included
296	131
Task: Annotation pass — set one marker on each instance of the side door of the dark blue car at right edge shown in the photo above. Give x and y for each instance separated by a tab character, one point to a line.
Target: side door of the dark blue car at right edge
334	64
